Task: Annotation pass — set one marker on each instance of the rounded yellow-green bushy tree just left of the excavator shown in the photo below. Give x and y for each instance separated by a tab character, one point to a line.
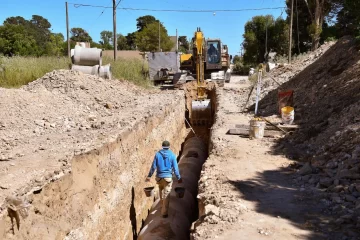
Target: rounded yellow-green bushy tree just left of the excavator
148	38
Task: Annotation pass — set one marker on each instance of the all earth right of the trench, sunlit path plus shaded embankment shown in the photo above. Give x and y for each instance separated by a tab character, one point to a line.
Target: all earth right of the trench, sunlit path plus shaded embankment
302	186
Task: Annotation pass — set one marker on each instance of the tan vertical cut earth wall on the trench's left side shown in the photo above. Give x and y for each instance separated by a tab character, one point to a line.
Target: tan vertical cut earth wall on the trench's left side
101	196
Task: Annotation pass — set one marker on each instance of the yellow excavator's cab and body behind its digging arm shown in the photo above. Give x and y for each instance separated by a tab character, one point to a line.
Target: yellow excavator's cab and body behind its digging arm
215	61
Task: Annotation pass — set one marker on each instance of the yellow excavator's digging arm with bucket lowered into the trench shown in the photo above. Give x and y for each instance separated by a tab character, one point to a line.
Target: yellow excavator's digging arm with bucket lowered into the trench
201	112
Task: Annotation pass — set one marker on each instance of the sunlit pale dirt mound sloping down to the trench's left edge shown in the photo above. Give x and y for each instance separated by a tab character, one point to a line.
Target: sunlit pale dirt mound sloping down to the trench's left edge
64	113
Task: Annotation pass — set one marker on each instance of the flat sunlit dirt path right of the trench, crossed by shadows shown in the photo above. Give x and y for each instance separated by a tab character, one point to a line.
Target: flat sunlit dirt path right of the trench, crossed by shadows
248	188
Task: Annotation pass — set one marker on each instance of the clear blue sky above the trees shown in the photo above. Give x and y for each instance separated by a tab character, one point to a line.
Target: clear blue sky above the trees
228	26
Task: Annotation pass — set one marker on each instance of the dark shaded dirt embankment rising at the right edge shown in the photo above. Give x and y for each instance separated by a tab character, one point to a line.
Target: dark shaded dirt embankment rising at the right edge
327	107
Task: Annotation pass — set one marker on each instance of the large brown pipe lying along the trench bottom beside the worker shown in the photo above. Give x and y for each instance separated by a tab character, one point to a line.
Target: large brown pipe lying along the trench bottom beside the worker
181	210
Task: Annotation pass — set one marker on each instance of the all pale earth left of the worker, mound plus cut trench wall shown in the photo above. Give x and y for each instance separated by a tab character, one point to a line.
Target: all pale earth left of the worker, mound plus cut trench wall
77	148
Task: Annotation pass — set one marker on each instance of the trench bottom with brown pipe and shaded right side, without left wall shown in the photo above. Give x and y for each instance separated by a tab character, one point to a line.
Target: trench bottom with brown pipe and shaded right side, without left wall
183	212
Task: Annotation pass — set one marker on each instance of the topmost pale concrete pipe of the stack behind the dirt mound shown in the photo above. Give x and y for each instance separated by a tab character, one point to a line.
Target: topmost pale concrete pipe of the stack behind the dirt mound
87	56
